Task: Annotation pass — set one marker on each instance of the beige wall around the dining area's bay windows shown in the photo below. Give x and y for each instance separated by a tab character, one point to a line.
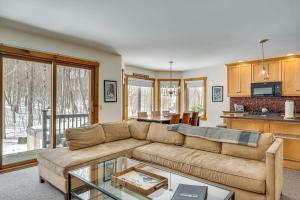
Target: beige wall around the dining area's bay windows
216	76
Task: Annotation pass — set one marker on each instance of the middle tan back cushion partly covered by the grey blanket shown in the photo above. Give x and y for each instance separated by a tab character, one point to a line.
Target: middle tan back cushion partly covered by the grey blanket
202	144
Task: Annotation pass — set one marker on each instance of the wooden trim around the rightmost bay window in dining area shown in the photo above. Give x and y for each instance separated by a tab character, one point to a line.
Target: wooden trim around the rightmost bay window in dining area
204	79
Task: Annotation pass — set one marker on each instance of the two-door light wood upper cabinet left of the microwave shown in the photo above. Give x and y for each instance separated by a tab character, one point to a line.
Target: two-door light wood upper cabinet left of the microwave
239	80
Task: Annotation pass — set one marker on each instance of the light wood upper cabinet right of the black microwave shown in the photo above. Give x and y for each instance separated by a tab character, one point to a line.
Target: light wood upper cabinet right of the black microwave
291	77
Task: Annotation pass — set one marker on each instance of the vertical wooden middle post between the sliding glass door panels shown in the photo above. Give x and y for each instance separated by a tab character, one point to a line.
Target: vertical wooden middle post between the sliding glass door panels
53	110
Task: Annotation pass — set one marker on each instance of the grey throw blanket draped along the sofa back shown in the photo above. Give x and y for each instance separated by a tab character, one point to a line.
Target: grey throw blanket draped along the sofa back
247	138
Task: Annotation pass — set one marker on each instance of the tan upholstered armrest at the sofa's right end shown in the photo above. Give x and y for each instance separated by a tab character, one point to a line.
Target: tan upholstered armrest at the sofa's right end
274	170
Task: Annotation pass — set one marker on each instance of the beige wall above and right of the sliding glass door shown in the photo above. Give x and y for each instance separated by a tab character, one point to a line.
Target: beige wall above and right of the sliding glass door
110	64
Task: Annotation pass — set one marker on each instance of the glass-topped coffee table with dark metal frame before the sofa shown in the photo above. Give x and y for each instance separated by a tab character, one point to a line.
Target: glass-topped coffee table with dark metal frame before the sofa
94	182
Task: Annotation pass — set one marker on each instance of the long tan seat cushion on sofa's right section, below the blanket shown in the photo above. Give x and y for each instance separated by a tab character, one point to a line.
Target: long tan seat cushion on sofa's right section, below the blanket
227	170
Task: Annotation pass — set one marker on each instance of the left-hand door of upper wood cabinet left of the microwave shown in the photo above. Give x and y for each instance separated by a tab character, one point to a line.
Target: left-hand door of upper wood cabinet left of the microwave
233	80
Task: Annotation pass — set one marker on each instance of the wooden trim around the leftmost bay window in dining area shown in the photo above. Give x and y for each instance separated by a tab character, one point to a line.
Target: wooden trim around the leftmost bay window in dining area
125	93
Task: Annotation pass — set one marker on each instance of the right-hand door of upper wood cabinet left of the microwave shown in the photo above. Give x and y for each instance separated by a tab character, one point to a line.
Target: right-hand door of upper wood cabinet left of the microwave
245	80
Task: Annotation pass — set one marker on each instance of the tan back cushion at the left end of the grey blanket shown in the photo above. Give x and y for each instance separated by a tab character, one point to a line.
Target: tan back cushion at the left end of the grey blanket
159	133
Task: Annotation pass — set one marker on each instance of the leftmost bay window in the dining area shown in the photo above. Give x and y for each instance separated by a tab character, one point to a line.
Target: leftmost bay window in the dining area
140	95
